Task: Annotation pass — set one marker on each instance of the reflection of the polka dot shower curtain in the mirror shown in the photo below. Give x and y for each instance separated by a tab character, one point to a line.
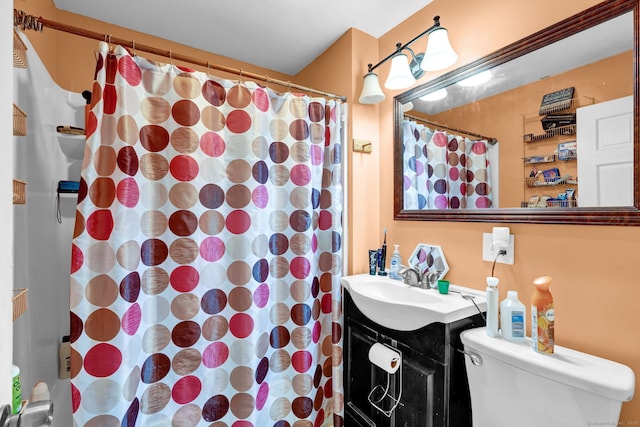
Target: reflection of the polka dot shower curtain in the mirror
444	171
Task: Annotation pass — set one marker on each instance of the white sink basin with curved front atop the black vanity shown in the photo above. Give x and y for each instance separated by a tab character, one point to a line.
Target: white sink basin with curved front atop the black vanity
401	307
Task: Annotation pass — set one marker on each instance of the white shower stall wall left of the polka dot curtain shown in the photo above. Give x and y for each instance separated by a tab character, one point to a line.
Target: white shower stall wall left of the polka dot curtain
42	245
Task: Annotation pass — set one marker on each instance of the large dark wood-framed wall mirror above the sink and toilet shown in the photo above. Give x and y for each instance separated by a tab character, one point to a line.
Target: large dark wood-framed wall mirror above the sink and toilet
589	58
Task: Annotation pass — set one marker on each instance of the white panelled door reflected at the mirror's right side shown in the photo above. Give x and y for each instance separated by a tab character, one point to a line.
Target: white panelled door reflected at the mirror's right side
605	153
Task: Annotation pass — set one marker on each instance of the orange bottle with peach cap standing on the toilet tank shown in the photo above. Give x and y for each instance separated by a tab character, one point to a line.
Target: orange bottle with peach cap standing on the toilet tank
542	316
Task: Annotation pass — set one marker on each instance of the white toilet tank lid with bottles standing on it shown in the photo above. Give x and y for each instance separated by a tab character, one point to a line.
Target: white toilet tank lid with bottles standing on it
588	372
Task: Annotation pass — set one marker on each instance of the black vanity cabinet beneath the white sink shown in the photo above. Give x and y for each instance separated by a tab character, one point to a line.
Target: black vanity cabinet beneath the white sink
435	392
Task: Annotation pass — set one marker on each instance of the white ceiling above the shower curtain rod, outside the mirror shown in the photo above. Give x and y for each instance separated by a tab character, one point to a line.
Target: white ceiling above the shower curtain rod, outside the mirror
281	35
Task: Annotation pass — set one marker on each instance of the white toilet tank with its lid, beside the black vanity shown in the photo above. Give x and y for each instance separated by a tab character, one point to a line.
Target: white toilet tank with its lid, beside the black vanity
512	385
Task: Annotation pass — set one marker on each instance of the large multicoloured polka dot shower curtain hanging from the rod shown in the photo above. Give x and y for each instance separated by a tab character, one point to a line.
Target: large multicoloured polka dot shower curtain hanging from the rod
207	253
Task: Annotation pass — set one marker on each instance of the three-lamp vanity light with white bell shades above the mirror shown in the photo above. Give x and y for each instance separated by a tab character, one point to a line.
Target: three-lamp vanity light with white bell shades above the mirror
404	73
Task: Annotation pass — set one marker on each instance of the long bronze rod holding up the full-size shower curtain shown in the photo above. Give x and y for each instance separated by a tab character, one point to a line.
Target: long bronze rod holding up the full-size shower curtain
30	22
